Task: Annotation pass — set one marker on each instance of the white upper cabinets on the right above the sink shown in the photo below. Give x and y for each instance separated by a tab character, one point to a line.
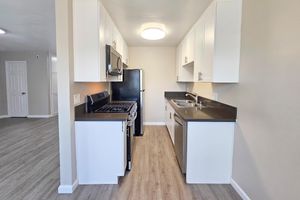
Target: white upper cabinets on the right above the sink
215	49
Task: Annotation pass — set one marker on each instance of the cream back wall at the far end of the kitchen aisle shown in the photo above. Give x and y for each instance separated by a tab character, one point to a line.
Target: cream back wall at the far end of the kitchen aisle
158	64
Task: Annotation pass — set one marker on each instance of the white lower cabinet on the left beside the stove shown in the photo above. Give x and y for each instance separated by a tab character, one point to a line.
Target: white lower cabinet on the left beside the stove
101	151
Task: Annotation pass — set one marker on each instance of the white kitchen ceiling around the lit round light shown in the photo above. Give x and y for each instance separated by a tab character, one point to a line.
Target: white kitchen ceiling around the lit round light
177	15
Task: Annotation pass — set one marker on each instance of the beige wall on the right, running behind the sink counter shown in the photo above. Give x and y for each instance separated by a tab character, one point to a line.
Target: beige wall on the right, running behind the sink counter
267	137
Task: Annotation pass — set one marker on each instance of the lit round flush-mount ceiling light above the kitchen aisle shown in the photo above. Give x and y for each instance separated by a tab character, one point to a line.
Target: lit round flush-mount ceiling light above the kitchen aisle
153	31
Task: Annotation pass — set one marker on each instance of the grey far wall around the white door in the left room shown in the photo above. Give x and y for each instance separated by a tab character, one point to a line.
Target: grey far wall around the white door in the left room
37	78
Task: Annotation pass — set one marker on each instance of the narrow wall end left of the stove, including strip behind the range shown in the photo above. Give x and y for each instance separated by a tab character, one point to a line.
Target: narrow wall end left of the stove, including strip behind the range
66	89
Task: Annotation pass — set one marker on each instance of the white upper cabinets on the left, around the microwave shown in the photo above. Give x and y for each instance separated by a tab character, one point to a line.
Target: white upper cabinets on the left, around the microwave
93	28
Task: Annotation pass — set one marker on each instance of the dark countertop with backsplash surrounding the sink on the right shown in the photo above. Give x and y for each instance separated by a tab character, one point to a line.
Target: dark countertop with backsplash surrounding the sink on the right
212	111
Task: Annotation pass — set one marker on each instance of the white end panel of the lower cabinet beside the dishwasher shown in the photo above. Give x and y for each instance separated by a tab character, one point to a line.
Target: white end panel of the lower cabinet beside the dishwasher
209	152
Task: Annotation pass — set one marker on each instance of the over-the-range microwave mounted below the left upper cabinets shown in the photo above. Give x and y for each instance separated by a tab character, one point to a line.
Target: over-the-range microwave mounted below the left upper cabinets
114	65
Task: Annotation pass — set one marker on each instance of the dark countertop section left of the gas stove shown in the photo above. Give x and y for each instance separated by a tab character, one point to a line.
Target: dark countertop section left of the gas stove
82	115
